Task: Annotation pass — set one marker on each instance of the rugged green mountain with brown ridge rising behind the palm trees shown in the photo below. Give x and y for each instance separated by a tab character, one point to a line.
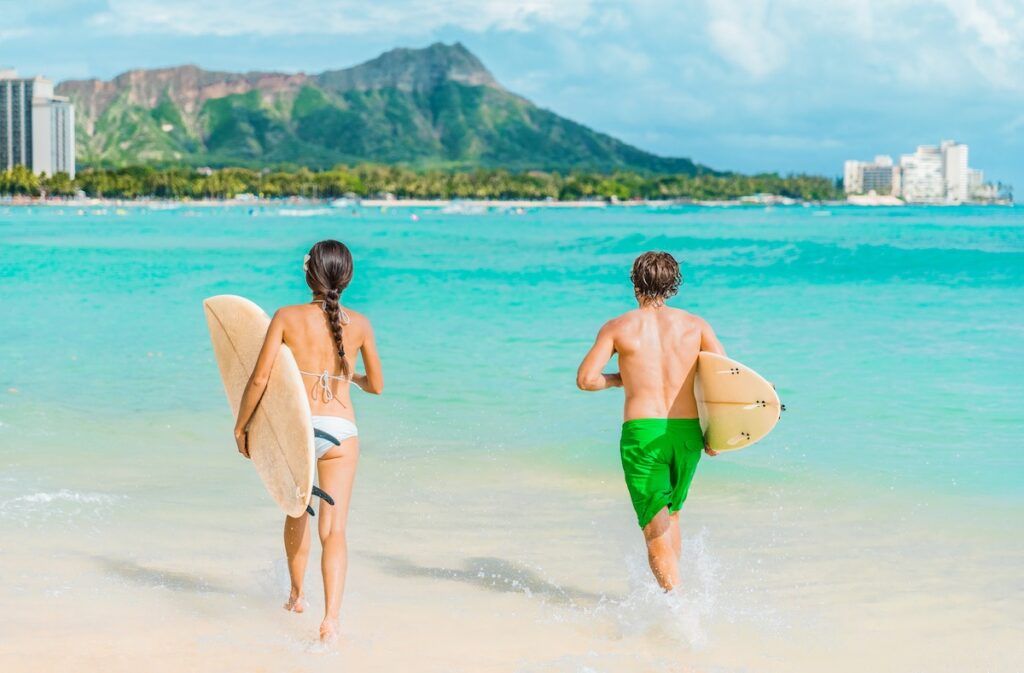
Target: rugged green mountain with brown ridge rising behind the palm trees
432	107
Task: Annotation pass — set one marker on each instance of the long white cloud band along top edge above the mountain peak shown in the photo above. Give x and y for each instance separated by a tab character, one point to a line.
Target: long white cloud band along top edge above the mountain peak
266	18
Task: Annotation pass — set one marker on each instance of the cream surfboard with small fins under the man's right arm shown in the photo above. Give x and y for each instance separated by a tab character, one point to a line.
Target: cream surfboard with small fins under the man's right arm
738	407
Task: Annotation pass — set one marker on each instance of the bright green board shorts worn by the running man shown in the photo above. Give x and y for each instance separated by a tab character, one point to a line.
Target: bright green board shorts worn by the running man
660	457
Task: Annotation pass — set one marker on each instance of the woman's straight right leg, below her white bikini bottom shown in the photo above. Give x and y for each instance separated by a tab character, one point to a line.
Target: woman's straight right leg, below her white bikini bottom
337	473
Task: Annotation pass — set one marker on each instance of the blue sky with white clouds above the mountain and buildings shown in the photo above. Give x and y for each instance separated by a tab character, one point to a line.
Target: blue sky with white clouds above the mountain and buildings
787	86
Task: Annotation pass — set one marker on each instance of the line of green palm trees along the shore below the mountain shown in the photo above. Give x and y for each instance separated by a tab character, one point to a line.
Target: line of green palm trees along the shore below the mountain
403	183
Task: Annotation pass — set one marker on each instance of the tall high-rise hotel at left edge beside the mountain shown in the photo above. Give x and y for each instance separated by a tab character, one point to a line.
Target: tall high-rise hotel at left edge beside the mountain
37	129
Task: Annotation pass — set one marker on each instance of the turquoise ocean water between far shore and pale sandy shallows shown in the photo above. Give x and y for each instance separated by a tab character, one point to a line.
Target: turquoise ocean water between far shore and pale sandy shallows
893	335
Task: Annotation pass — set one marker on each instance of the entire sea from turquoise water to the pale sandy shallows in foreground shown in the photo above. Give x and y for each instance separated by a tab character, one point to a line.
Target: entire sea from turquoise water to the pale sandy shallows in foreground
879	526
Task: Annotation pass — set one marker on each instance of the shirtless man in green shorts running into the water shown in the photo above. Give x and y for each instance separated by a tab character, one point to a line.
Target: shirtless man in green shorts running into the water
662	442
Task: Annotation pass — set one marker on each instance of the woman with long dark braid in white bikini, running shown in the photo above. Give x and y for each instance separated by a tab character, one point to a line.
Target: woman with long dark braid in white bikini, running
325	339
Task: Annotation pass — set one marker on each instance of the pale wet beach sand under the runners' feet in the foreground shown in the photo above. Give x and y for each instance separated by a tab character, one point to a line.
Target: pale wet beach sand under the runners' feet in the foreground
457	566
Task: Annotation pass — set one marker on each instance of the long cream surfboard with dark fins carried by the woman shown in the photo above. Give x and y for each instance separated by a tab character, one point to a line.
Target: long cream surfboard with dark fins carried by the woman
281	434
